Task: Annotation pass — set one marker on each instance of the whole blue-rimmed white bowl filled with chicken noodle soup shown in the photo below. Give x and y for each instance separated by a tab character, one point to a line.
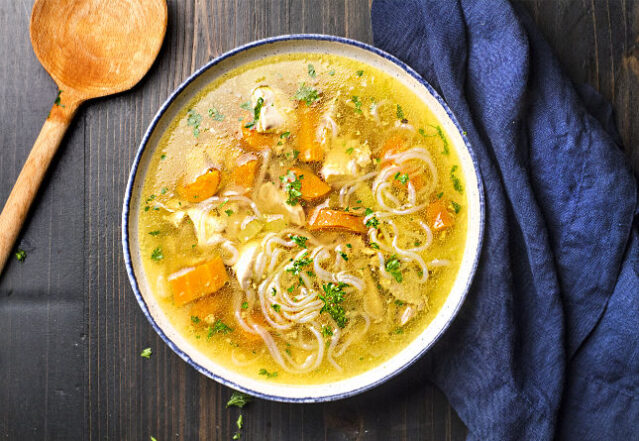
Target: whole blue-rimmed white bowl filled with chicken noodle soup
303	218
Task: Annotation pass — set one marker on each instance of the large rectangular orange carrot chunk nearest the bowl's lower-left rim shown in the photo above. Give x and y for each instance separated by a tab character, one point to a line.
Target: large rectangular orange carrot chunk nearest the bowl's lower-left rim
192	283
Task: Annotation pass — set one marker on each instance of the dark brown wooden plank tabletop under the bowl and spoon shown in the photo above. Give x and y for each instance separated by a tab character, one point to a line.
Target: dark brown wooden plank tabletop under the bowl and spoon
70	329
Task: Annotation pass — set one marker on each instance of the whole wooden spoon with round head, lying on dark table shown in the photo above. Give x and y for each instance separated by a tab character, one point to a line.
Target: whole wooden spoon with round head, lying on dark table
91	48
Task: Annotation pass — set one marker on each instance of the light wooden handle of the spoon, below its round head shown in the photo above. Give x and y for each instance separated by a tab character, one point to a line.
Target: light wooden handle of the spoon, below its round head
24	191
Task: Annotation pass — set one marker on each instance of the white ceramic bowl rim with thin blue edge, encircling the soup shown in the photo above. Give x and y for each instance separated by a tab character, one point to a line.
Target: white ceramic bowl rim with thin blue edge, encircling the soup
132	201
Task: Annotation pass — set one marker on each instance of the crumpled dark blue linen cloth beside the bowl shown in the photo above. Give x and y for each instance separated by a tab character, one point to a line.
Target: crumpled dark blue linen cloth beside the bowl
546	345
